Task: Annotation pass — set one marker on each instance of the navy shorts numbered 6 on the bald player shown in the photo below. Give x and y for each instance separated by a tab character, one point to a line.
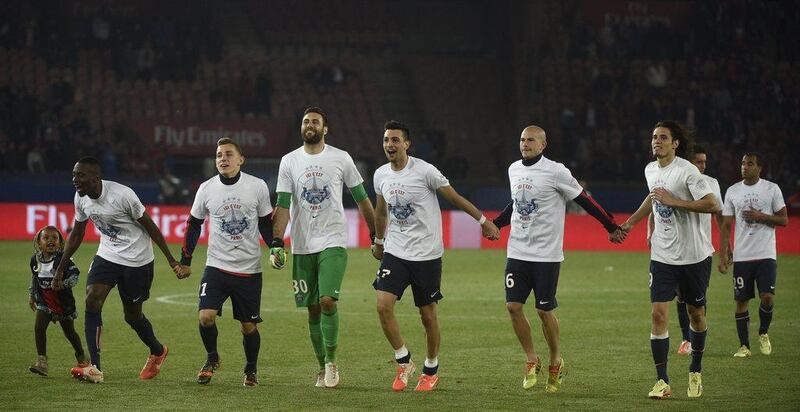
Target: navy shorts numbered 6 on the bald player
540	277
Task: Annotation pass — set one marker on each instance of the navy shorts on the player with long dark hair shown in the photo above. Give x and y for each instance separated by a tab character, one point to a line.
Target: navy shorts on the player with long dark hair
688	281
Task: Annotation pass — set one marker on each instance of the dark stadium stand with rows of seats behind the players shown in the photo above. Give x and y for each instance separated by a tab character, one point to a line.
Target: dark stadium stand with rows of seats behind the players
75	77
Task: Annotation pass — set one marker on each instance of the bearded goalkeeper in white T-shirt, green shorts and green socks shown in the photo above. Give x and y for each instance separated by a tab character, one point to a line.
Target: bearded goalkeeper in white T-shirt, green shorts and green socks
310	181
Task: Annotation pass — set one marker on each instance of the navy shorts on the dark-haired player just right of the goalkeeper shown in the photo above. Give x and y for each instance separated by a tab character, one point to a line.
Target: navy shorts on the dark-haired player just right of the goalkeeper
425	278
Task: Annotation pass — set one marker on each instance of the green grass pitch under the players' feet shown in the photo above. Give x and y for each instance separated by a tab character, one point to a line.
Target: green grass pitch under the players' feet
604	312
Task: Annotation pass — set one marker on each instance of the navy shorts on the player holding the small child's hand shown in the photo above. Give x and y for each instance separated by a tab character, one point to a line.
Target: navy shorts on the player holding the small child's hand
133	283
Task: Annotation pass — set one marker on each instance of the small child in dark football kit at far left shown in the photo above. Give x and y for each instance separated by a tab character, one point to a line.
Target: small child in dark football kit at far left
51	305
